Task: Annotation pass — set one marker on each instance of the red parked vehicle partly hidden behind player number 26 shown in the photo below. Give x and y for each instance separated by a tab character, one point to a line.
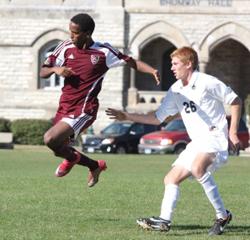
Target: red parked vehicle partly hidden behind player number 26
174	138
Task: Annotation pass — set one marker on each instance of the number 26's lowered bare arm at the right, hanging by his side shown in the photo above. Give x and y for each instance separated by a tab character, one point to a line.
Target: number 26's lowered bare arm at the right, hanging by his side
235	118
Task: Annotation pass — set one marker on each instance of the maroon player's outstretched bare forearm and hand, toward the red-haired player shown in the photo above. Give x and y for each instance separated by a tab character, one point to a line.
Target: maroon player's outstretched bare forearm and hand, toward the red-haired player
145	68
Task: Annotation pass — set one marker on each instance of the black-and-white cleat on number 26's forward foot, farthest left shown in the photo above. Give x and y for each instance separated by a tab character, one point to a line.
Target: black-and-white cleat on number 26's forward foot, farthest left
154	223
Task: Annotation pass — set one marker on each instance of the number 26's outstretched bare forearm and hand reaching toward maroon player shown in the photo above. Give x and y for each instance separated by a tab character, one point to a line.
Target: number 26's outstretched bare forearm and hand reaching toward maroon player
148	118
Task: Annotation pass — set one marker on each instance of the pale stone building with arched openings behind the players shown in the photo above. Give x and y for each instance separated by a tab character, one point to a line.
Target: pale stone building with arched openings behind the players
148	30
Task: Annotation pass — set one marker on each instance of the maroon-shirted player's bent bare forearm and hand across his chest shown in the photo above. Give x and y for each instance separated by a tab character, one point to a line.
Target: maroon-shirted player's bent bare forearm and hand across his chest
61	71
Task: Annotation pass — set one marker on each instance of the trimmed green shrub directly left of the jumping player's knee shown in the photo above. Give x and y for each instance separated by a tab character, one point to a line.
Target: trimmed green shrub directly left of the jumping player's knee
29	131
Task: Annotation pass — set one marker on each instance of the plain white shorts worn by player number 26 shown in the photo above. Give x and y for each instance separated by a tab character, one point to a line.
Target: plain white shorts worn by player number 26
186	158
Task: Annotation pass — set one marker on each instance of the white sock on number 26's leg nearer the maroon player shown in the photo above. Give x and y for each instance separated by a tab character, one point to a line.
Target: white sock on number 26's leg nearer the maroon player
169	201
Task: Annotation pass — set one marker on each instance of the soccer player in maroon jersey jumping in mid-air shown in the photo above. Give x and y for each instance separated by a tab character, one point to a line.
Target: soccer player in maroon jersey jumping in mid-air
83	63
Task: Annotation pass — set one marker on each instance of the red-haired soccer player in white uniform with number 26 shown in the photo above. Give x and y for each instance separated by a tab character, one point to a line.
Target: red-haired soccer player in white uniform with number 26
199	99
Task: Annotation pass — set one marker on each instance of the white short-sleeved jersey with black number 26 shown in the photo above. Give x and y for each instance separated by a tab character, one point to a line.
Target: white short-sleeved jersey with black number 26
201	105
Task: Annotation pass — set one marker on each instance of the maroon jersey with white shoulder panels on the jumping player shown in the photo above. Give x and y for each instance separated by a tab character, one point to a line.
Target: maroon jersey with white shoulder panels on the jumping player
80	91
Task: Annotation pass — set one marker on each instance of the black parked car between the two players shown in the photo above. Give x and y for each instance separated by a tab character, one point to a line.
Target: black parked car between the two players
118	137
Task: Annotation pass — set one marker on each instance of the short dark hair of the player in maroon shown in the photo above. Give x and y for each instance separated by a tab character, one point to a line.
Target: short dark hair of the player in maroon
85	22
